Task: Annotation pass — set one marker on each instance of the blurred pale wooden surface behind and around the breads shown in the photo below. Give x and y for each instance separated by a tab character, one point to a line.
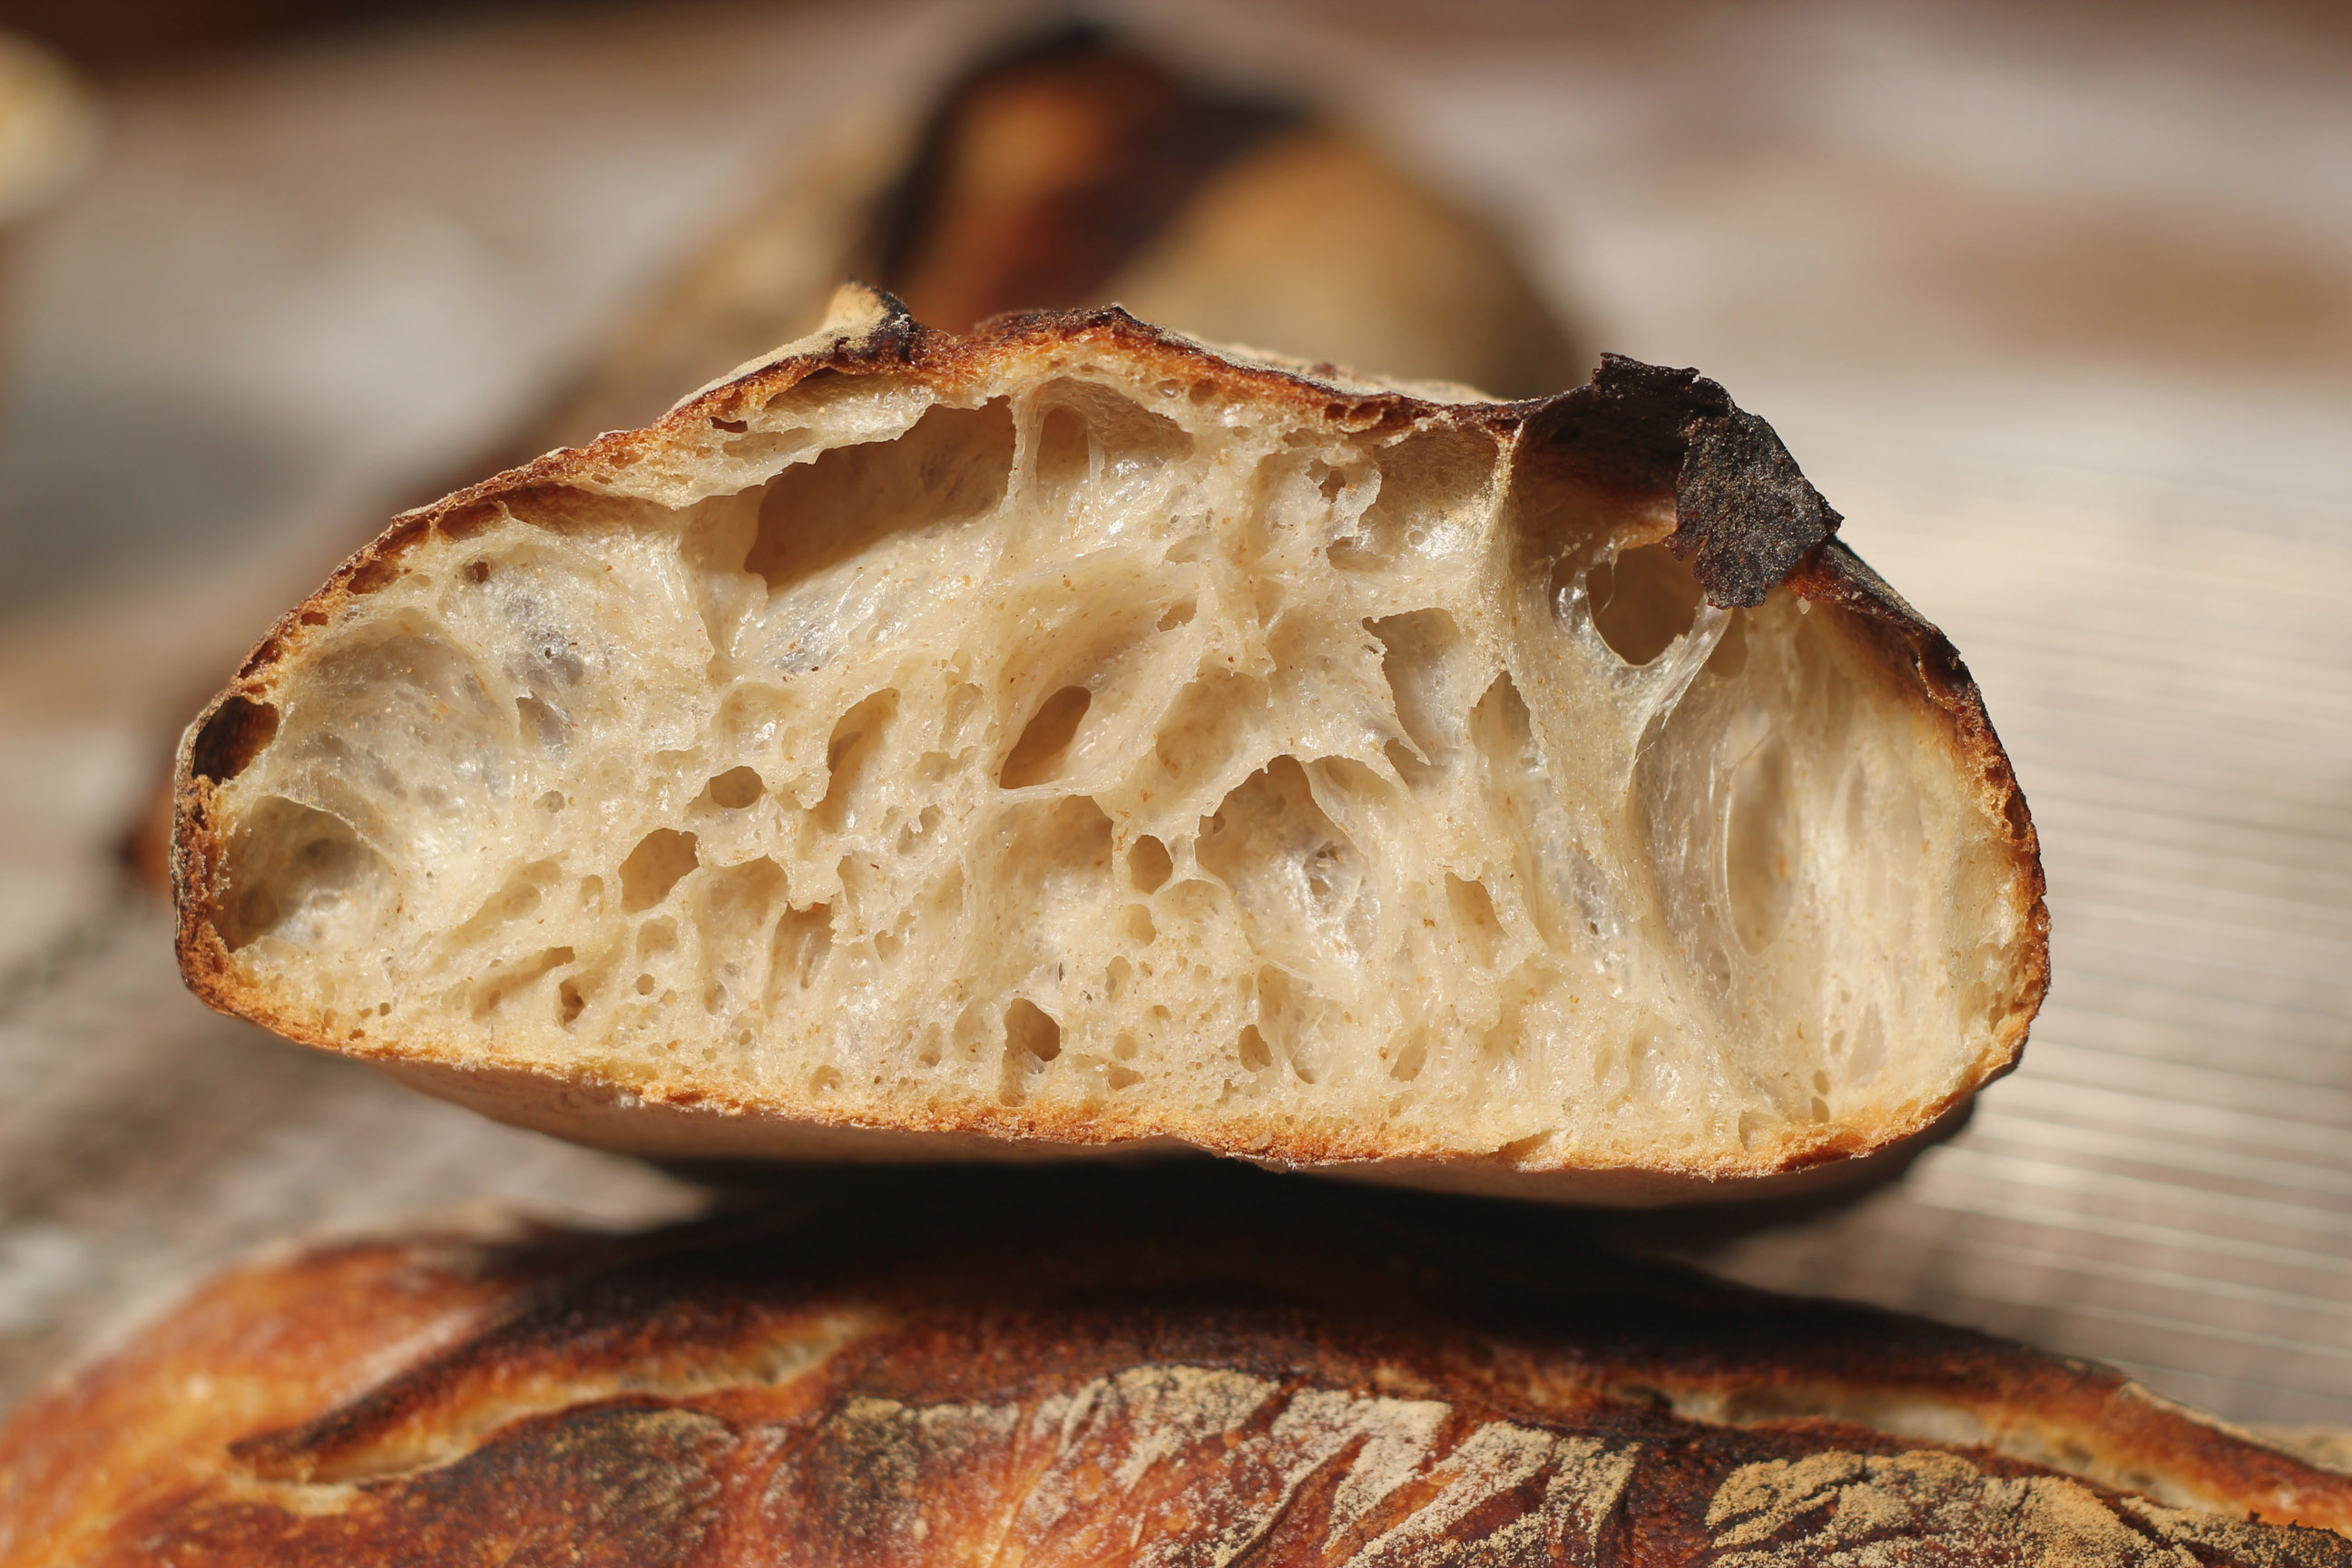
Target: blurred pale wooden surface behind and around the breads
2057	309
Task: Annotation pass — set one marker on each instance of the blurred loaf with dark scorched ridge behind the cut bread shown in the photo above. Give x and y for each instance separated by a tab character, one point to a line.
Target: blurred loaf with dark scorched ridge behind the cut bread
1081	168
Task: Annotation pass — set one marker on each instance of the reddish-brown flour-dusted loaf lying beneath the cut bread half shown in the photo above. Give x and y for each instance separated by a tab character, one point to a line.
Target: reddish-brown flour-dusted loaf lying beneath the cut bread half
1125	1369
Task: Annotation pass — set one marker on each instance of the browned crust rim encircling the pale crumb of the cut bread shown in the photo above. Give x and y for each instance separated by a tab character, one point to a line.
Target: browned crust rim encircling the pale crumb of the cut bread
1744	523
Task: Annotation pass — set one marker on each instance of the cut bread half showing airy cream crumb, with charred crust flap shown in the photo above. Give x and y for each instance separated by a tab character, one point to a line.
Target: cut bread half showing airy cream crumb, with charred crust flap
1071	732
